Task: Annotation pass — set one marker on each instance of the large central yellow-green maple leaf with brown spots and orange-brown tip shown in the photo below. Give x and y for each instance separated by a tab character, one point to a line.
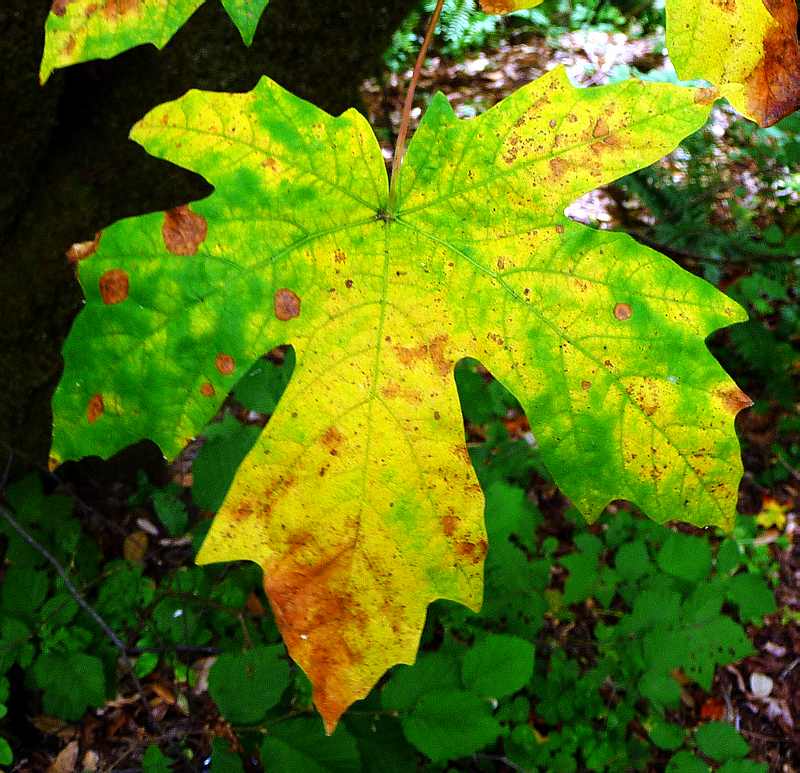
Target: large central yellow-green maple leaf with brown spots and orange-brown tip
358	500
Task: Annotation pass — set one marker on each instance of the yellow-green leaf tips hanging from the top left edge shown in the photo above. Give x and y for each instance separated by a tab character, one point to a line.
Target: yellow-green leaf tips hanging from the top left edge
80	30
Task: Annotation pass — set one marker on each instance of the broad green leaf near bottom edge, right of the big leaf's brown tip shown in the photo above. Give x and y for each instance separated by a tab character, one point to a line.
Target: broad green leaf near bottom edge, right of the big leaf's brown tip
448	724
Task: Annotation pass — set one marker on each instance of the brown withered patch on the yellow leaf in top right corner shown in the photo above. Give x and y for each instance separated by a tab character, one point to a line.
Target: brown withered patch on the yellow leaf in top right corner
773	88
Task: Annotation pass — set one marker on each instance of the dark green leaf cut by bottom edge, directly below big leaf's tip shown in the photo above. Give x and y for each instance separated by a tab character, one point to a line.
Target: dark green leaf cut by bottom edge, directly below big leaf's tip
300	746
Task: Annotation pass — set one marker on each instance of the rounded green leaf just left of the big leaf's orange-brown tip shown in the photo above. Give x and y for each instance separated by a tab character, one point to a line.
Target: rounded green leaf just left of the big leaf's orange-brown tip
248	685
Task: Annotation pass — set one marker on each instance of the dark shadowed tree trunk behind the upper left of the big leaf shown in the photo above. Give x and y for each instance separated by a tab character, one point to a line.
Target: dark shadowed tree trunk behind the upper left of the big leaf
70	169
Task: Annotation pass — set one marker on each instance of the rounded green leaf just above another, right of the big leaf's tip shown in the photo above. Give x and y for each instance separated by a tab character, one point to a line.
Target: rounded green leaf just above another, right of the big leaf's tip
497	666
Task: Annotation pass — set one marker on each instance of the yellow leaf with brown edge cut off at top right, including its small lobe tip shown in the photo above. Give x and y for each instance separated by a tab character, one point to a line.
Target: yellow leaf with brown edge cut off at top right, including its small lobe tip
748	49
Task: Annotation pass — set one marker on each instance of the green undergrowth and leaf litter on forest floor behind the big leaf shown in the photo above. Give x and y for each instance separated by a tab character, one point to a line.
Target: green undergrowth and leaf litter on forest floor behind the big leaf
622	645
